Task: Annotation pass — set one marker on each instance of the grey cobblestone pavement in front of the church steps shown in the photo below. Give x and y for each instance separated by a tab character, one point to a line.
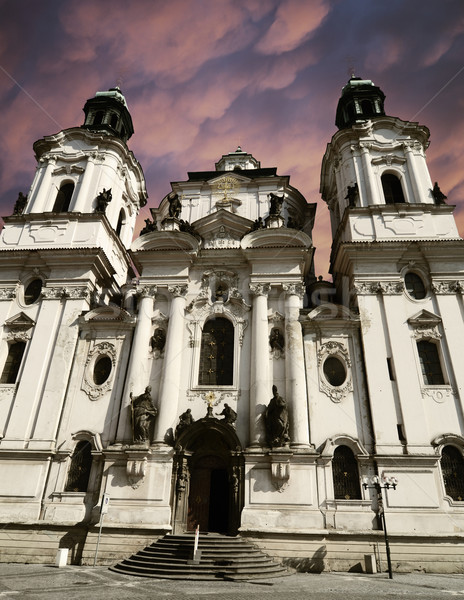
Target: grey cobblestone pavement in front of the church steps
40	582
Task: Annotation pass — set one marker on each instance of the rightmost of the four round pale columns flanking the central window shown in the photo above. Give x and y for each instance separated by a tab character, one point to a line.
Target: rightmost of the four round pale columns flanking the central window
294	367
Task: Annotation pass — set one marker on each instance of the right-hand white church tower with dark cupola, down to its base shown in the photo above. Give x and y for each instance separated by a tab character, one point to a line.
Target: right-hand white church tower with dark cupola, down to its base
397	259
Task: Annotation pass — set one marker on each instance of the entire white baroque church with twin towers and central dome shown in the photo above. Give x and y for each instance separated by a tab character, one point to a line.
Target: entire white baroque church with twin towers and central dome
202	375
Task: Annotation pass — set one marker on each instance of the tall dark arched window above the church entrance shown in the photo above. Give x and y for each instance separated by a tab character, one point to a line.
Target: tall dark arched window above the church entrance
217	353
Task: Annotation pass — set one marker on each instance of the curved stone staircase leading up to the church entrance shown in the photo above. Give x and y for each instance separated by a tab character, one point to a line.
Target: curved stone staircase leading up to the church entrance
222	557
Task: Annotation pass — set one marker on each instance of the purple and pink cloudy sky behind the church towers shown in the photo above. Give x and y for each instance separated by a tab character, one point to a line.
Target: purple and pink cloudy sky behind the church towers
202	76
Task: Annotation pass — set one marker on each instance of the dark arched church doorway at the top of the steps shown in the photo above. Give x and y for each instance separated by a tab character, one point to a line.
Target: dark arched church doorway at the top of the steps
208	474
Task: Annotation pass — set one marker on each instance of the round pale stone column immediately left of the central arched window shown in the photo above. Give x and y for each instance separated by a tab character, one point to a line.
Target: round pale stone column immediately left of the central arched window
168	404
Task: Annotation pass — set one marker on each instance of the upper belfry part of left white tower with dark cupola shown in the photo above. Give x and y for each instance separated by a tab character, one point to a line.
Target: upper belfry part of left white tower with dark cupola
87	190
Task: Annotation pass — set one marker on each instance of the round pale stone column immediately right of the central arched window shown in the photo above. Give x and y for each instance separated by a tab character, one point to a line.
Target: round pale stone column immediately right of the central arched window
260	384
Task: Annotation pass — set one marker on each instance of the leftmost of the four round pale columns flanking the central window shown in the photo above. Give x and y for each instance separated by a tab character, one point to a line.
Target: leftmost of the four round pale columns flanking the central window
137	372
